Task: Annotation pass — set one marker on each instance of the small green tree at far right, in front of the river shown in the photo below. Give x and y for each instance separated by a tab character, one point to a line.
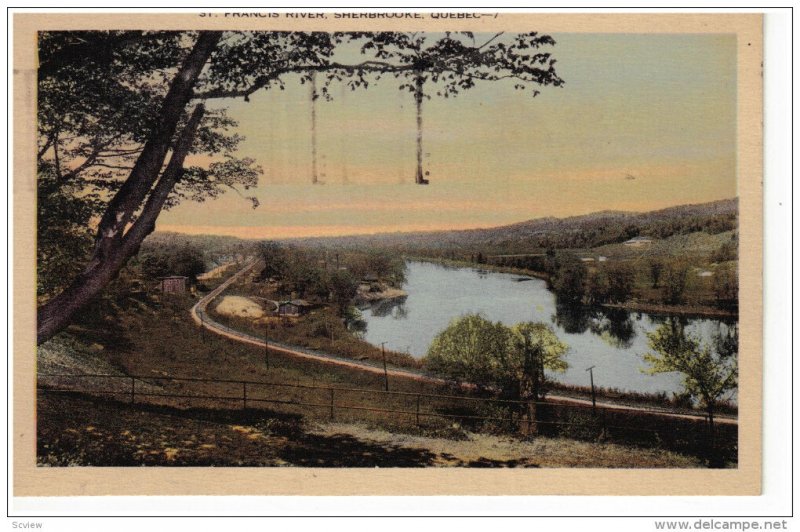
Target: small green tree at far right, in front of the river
709	370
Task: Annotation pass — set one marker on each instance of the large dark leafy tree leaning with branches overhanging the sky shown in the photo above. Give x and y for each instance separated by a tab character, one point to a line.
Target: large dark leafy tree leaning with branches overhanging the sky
120	111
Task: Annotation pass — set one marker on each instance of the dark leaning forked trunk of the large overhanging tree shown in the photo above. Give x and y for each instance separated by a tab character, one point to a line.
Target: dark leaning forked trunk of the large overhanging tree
113	248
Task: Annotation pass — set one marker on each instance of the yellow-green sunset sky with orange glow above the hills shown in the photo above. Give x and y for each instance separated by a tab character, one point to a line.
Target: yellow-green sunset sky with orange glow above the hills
643	121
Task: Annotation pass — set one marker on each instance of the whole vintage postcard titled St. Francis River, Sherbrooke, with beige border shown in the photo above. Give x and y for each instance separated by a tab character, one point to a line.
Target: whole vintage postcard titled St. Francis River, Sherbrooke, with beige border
387	253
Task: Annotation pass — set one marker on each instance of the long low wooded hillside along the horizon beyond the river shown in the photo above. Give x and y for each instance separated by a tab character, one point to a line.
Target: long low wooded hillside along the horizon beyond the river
585	231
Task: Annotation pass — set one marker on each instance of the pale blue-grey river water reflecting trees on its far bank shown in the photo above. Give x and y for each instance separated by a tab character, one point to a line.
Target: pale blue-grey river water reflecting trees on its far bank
613	342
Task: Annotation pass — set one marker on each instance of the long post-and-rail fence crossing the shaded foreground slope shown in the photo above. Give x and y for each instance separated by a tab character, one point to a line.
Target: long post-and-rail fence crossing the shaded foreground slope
398	409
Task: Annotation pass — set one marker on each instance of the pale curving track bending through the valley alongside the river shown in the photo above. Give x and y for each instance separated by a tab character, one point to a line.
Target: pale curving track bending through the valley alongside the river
200	316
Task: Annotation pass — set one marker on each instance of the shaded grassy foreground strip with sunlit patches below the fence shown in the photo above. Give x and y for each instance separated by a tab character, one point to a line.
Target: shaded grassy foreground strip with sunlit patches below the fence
80	431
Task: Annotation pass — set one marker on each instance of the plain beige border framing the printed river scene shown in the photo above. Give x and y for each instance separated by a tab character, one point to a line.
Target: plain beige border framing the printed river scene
30	480
